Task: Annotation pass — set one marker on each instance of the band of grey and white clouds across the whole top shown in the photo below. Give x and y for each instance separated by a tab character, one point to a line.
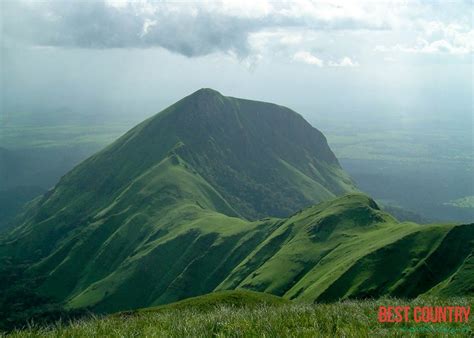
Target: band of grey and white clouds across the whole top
243	29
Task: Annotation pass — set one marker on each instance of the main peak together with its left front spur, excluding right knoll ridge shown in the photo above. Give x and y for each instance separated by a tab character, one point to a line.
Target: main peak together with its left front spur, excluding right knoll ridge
163	210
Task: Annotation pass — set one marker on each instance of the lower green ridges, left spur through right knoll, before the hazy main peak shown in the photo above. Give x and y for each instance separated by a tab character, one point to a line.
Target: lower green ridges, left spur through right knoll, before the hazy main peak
161	241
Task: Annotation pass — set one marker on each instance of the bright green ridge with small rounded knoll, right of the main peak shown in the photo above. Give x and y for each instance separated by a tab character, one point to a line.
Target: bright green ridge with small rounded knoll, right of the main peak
348	247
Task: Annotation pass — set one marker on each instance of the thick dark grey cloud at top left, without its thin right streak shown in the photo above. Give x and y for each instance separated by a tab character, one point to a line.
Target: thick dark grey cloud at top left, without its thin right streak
98	25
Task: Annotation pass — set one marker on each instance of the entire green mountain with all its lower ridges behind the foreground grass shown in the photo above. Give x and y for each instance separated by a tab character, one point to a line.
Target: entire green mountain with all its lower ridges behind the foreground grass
204	196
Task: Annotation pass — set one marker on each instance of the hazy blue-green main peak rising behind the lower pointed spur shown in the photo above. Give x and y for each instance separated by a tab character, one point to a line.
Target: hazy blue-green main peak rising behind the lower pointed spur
261	158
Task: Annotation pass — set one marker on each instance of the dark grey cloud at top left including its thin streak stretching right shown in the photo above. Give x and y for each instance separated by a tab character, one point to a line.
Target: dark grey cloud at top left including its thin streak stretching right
188	29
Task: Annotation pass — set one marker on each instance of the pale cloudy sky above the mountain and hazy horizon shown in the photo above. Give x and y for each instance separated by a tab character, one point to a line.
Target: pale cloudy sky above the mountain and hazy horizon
377	61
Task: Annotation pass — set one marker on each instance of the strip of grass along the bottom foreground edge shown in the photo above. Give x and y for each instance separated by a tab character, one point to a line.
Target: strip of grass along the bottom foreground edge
267	319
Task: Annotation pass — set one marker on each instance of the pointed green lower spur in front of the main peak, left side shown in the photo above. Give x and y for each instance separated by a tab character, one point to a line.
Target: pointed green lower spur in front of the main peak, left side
135	251
